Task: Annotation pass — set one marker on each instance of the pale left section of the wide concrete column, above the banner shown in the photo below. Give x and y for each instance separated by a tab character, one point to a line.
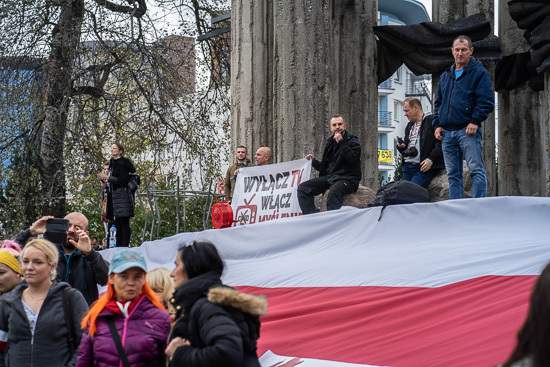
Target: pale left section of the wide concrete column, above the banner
251	74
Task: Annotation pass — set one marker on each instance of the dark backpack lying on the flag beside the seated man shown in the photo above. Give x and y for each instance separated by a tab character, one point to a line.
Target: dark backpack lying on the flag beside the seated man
400	192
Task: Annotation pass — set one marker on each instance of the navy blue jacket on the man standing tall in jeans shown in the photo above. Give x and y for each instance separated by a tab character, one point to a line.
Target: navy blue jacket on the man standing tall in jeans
468	99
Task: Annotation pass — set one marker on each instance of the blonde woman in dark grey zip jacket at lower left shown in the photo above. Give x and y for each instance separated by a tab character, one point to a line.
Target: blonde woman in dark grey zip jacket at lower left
33	316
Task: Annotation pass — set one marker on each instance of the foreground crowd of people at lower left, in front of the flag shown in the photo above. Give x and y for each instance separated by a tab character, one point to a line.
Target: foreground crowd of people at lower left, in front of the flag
186	317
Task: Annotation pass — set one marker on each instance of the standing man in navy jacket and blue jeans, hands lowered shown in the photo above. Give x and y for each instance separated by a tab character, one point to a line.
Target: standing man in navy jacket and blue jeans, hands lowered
464	100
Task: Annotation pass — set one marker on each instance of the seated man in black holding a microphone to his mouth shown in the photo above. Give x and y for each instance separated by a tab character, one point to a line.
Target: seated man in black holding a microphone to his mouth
339	169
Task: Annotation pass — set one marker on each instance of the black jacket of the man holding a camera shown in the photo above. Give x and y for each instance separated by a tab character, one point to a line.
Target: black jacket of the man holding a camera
430	147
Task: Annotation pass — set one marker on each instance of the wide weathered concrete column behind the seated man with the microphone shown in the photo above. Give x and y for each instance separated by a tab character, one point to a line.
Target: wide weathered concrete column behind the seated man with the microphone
316	58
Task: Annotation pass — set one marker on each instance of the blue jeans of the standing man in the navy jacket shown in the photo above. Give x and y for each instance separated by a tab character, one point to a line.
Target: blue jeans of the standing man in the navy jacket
457	146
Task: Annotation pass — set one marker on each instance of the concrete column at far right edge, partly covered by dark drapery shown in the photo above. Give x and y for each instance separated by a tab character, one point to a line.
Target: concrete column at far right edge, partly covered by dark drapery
521	128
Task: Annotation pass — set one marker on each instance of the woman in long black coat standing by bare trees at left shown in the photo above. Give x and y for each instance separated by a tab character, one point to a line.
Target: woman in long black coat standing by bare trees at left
120	200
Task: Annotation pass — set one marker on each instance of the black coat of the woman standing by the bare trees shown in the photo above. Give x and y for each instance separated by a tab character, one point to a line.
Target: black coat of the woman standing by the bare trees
120	200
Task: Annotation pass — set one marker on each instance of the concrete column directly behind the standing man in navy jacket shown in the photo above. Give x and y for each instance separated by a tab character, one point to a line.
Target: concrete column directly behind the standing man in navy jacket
448	11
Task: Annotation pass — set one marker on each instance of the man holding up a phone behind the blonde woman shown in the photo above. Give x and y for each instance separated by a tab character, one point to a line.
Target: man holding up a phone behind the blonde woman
79	264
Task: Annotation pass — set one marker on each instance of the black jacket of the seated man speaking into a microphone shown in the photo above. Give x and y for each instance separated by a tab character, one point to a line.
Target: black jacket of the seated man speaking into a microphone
346	160
